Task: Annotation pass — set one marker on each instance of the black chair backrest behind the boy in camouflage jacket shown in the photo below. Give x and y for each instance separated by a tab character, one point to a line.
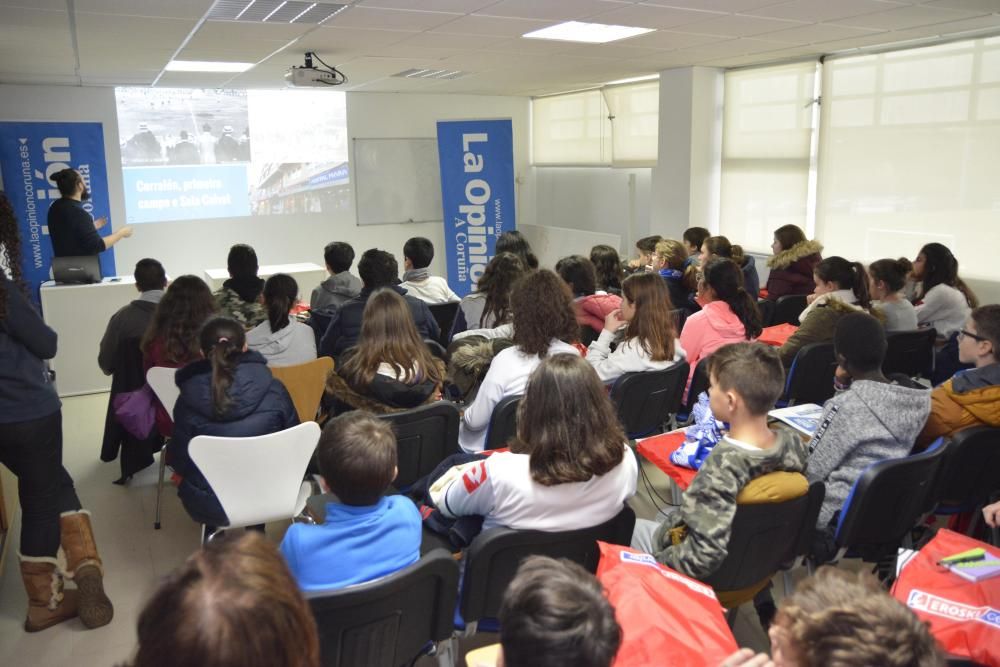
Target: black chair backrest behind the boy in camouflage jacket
767	534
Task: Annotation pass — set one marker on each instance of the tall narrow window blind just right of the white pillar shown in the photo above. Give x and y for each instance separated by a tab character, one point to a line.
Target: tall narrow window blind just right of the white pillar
767	141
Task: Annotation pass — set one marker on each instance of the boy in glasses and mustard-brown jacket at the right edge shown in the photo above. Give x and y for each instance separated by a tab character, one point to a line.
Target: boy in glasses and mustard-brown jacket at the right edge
971	397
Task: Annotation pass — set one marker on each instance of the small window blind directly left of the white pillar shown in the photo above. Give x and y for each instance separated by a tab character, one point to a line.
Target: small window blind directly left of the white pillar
635	111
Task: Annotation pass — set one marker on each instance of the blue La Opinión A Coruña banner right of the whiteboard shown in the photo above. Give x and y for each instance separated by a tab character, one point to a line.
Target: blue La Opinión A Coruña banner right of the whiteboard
477	194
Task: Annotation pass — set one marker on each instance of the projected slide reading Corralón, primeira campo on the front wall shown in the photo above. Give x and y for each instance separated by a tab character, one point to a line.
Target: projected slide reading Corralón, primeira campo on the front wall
192	154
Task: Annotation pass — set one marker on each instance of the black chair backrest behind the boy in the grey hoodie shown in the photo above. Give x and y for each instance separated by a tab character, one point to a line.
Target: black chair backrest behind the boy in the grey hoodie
887	500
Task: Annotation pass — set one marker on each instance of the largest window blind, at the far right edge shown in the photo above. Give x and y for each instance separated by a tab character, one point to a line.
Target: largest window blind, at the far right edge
908	152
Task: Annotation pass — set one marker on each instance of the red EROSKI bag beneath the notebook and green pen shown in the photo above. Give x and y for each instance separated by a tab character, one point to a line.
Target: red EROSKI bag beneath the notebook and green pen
964	616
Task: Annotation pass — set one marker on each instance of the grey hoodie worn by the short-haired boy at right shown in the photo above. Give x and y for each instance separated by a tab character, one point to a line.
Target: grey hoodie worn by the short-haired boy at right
870	422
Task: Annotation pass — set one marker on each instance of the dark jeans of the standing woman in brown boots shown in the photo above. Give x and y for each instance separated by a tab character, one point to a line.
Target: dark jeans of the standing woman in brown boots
33	452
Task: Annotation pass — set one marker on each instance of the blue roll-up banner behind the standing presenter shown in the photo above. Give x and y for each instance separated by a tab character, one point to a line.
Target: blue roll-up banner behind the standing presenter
29	154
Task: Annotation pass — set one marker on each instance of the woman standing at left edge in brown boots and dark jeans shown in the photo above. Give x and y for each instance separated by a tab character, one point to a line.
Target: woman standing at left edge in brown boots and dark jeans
31	447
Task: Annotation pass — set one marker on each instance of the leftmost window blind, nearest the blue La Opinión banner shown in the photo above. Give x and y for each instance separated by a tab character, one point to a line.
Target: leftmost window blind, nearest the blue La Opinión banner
571	130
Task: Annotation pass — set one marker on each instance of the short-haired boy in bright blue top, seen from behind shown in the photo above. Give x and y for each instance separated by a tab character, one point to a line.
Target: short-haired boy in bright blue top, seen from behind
366	534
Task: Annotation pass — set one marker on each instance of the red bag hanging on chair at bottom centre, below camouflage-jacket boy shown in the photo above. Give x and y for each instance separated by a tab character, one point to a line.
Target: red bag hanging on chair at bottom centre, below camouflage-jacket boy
666	618
